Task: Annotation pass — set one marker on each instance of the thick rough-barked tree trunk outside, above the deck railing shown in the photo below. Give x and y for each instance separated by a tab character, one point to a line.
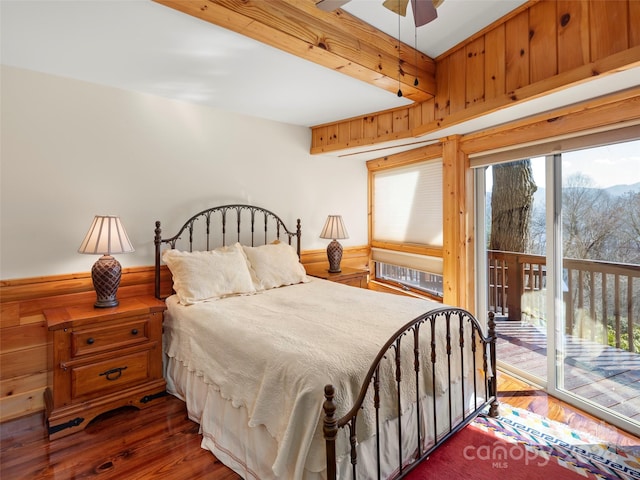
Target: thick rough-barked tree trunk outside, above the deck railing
512	206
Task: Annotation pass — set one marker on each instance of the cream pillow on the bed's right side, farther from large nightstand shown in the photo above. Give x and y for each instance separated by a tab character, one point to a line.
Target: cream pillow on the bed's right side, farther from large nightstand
275	265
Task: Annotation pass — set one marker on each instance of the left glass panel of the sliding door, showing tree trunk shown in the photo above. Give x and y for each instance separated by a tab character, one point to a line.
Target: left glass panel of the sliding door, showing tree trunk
516	263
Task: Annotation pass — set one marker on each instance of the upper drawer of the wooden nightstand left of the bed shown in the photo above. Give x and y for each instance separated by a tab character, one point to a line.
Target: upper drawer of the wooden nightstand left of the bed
94	340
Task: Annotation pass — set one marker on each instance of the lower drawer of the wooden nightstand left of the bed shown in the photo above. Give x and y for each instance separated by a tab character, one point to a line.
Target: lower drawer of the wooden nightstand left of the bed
109	374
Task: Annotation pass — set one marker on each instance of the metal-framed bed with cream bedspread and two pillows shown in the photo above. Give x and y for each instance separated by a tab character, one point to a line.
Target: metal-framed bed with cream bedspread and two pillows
295	377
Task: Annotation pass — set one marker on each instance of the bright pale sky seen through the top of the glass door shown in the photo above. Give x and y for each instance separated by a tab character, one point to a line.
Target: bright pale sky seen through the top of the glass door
617	164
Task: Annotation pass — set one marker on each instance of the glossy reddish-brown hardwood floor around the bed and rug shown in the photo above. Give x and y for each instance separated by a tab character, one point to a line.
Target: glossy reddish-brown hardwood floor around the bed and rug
161	443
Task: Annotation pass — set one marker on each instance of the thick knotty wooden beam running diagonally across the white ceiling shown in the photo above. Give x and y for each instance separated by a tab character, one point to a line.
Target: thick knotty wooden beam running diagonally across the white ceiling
334	40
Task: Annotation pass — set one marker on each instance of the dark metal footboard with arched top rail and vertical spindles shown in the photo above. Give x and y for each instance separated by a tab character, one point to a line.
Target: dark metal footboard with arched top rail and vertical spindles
460	327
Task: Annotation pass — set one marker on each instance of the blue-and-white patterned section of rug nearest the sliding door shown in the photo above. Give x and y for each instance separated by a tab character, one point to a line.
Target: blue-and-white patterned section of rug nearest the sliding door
579	452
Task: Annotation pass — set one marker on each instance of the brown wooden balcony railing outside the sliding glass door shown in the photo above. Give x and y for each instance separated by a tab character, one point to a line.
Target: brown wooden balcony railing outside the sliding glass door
602	299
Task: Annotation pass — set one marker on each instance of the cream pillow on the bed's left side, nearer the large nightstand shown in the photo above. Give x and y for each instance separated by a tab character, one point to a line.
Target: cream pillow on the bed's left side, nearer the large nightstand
199	276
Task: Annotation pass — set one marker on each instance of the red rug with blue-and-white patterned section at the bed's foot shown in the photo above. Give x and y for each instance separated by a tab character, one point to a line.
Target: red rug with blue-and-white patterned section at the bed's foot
520	445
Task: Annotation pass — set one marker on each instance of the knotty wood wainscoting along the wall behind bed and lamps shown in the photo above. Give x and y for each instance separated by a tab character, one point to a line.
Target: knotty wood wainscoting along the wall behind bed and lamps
25	341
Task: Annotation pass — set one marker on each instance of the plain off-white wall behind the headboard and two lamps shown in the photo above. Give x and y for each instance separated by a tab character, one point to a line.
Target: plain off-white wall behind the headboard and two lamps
71	150
